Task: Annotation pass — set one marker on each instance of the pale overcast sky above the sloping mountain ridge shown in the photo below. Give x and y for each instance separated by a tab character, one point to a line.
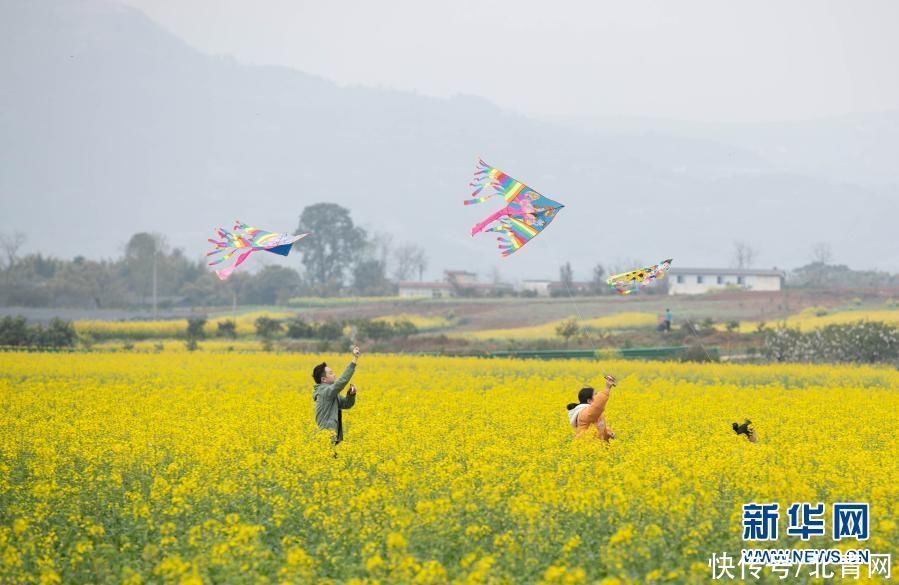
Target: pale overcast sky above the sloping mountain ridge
691	60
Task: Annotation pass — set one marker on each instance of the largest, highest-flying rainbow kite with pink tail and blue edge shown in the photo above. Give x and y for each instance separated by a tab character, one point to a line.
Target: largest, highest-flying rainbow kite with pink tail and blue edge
526	214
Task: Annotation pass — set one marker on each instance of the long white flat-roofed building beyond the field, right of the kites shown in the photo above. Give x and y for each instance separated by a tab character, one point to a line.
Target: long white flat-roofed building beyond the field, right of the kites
695	281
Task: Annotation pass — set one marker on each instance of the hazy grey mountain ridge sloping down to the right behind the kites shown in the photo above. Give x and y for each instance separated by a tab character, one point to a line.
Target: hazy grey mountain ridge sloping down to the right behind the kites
110	125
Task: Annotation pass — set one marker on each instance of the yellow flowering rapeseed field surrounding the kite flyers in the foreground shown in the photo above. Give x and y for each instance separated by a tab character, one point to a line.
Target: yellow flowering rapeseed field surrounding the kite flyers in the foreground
206	468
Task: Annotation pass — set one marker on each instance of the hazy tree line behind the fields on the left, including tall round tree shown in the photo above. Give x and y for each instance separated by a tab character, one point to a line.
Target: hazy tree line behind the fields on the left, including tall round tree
342	258
